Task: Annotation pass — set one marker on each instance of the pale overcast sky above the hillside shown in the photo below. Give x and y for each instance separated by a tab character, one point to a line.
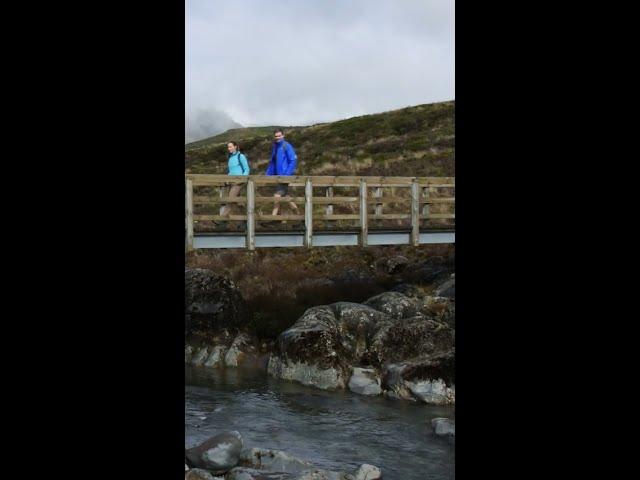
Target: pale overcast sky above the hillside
299	62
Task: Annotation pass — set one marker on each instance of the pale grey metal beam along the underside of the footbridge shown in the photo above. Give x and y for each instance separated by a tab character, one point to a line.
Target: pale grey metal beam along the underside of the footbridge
320	239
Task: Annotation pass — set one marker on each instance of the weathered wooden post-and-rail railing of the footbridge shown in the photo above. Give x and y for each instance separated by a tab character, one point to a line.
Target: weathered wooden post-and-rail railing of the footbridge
341	198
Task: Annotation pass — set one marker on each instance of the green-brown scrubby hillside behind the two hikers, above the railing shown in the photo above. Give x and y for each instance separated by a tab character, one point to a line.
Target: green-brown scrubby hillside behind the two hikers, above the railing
413	141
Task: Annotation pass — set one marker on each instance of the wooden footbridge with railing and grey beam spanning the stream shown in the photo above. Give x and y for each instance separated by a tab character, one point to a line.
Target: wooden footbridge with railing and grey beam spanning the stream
338	210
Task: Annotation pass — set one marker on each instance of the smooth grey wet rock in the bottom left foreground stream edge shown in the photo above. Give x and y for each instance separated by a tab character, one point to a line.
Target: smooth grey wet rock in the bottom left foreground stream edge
218	454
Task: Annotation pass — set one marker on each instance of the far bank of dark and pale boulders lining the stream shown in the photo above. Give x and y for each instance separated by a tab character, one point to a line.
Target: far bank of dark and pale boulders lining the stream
400	343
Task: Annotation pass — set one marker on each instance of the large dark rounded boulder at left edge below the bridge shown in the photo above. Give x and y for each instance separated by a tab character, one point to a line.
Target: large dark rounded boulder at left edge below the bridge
212	303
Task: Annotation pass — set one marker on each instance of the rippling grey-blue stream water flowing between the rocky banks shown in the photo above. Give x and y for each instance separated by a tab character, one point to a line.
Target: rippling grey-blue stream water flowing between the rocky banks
335	431
